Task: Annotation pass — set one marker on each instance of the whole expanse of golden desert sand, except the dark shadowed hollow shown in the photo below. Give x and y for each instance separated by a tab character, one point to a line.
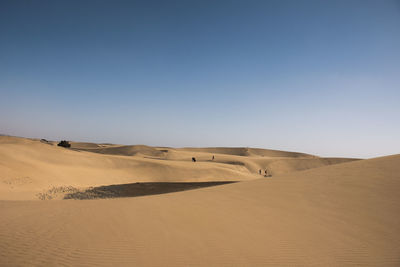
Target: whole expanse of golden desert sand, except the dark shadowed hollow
312	211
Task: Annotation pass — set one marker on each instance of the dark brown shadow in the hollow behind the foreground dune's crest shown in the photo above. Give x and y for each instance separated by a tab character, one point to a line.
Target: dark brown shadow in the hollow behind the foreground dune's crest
138	189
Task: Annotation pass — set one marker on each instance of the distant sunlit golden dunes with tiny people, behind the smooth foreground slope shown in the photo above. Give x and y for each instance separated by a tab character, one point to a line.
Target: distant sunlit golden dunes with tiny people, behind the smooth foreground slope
29	167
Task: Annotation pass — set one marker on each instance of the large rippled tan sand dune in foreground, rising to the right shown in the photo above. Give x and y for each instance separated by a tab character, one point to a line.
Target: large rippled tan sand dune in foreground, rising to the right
338	215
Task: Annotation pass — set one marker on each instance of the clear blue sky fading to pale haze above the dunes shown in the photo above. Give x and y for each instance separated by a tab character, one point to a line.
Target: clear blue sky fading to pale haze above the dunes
321	77
